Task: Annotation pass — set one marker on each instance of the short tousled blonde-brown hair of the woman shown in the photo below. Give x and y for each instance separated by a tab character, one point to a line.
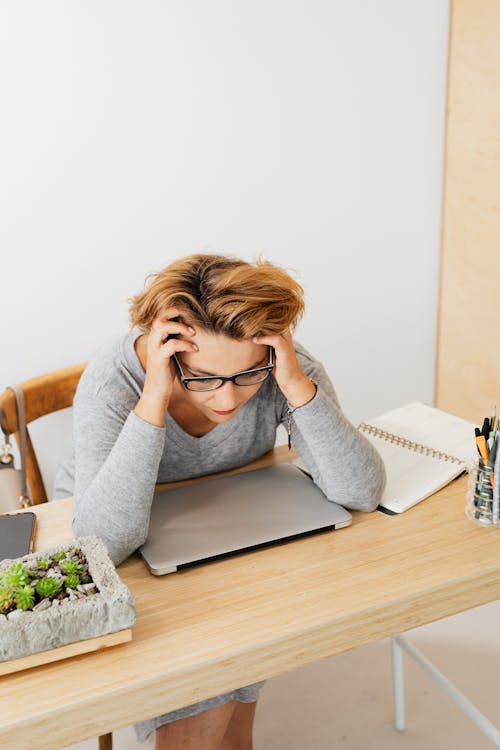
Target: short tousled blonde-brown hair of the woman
222	295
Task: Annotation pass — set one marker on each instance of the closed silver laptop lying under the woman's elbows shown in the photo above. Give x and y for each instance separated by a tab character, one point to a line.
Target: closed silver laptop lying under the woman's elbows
217	517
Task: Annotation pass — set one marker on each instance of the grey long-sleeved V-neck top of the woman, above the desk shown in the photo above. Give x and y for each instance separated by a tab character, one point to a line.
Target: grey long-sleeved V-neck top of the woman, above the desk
116	458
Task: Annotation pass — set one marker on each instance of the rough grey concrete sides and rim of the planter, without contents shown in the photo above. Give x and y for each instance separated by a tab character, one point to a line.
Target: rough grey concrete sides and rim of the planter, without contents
111	609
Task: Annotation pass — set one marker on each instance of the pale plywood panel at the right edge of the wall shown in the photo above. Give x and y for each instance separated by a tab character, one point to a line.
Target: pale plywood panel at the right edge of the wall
468	353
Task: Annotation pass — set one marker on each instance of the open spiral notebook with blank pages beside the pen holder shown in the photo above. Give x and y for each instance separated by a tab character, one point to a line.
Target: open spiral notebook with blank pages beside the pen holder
423	449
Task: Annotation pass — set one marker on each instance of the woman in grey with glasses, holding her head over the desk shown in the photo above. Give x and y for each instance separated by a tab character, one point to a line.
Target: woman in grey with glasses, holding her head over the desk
200	385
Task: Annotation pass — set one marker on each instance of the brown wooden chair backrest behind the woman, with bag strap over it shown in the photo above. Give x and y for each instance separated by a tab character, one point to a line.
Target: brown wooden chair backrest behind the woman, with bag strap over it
43	395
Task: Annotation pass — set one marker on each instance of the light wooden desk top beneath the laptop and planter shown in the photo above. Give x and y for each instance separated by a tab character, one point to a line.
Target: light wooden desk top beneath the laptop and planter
226	624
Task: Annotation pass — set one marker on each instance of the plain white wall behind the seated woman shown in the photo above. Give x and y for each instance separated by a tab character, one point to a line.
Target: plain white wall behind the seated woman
136	131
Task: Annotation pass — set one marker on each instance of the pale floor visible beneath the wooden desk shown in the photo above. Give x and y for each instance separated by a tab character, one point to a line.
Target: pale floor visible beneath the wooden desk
345	702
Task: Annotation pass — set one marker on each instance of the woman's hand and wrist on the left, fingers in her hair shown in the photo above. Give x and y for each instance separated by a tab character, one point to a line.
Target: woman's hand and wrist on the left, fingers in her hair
153	403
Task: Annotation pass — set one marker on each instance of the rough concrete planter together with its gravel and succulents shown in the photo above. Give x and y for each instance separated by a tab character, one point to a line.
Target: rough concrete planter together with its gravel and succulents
102	604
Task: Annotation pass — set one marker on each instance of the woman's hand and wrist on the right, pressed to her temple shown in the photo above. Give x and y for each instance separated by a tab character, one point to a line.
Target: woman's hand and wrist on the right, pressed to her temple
296	387
